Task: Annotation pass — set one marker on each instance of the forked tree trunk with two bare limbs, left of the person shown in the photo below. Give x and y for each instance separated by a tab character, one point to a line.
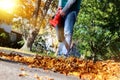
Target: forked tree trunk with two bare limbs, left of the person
34	32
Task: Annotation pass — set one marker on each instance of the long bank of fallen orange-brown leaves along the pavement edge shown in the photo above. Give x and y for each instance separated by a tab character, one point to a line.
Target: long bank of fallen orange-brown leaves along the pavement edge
84	69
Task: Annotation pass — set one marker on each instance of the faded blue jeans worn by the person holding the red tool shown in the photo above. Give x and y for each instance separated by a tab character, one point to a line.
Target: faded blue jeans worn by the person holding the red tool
65	31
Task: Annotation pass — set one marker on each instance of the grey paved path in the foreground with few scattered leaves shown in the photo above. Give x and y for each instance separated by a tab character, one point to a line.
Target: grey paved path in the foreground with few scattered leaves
11	70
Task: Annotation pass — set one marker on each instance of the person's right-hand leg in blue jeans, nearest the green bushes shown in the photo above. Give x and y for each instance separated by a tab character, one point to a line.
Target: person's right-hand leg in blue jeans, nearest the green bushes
68	28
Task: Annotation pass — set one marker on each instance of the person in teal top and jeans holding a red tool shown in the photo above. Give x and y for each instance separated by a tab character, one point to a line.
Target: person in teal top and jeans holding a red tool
66	17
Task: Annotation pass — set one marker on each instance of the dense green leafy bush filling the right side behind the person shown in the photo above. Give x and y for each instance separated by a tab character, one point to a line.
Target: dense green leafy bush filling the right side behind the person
98	28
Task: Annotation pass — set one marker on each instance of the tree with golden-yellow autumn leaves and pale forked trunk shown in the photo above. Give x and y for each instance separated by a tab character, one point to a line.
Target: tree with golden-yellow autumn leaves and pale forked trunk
36	11
